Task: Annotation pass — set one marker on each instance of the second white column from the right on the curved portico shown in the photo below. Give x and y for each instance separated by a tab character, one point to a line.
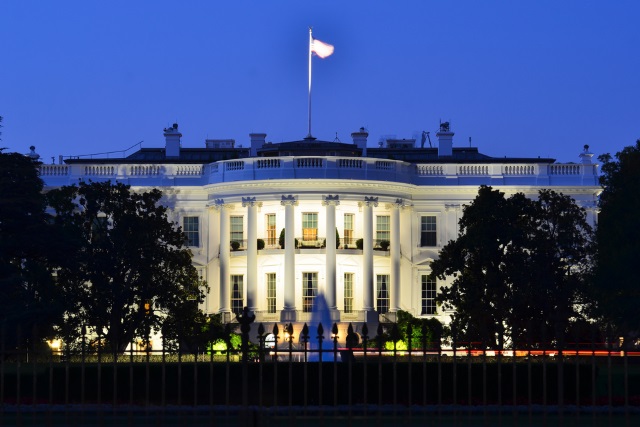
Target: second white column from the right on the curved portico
367	257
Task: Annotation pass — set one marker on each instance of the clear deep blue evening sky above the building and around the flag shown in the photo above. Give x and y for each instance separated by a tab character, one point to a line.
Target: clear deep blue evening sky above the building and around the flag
522	78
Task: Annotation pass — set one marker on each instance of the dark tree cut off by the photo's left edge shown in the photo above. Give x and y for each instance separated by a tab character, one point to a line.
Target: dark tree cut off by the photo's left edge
28	297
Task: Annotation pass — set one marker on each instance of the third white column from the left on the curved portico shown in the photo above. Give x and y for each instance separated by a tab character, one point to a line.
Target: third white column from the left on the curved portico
289	310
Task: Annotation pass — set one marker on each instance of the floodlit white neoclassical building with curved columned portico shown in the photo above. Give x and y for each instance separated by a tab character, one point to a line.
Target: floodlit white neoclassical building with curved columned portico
358	224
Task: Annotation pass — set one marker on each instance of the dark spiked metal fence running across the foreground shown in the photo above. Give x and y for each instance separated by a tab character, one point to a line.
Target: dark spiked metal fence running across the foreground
274	371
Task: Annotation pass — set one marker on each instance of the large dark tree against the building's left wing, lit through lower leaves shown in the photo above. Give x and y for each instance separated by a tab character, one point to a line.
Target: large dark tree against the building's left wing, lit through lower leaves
127	268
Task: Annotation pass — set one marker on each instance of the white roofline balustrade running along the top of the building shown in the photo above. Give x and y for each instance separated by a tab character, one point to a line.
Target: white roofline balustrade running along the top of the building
329	167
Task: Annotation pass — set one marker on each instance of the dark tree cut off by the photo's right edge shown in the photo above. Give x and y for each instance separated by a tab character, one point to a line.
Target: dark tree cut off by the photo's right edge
618	237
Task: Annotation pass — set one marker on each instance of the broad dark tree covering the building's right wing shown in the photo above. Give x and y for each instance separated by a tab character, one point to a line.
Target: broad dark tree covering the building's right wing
519	269
